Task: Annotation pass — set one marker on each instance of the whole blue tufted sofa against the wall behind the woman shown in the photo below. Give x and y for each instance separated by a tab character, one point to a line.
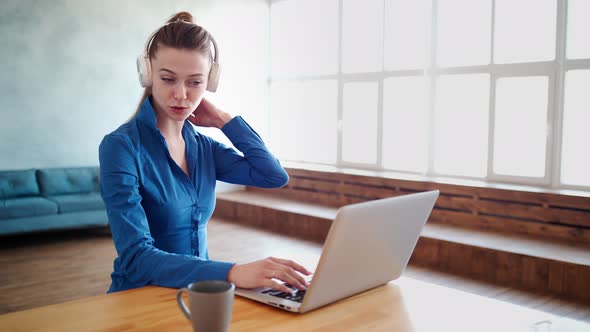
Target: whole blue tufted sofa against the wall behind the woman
34	200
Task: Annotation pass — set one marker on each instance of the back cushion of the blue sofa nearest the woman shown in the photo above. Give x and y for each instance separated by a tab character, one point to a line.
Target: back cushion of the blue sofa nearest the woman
75	180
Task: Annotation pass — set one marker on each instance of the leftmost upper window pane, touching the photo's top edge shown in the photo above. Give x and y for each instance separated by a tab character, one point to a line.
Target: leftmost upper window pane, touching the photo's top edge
304	37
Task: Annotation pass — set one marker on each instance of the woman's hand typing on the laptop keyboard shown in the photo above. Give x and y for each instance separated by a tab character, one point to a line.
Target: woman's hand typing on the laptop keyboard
261	274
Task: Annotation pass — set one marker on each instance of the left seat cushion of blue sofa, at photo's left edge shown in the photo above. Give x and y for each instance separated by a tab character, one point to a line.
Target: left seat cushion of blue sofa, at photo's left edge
26	207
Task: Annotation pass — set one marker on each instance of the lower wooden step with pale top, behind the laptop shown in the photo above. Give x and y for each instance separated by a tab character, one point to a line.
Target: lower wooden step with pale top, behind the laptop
508	259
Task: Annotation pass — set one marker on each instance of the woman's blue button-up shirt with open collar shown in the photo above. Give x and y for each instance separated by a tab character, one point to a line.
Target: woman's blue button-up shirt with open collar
158	214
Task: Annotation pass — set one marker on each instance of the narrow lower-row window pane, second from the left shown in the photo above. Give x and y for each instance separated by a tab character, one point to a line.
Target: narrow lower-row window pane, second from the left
359	132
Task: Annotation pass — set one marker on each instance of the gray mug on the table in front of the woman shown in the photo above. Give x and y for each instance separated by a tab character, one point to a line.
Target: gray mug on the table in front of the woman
210	303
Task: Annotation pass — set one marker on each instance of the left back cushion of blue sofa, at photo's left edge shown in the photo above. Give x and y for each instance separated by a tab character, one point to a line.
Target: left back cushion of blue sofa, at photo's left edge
18	183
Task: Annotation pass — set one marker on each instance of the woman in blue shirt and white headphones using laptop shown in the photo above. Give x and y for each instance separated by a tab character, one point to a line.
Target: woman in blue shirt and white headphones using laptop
157	174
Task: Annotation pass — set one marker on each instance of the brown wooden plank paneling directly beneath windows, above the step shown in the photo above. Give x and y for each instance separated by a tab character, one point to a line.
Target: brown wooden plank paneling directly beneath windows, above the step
559	216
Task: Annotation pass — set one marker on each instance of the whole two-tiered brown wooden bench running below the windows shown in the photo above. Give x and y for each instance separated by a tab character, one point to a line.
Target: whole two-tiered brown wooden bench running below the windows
522	239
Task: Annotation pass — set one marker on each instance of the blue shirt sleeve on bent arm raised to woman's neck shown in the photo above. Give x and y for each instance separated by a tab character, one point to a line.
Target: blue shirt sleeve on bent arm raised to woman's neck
257	167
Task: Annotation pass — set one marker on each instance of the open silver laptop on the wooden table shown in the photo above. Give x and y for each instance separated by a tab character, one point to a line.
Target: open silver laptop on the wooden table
368	245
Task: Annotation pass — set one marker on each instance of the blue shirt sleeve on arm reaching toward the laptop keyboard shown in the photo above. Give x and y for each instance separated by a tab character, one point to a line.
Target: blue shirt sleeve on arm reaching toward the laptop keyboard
139	260
